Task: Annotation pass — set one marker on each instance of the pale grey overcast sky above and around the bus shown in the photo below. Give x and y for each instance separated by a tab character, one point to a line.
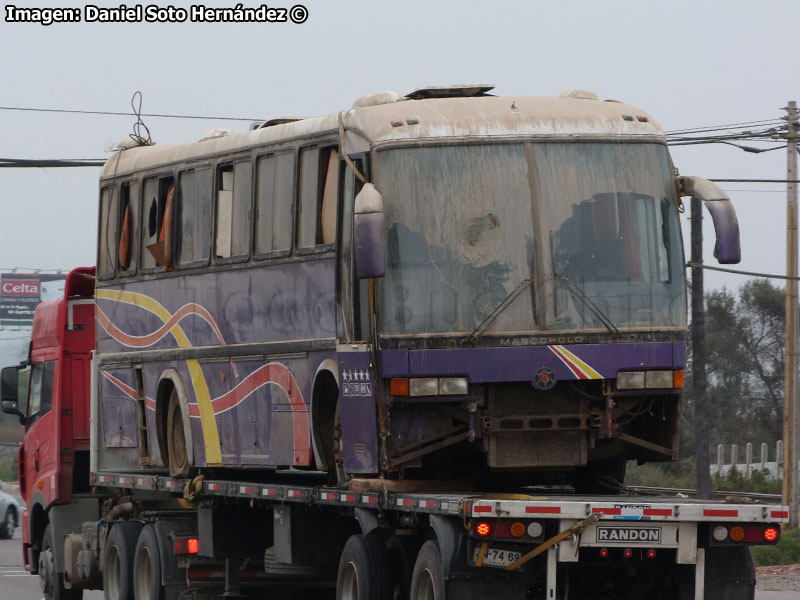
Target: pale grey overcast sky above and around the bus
688	63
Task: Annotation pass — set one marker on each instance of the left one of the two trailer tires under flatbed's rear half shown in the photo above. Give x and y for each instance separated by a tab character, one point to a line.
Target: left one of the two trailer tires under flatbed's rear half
363	570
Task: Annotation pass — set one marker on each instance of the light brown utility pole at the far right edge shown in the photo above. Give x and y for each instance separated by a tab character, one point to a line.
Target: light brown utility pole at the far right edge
791	423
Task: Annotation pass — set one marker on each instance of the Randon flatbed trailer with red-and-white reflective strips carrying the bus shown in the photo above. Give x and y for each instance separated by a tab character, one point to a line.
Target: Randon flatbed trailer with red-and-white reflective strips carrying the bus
562	540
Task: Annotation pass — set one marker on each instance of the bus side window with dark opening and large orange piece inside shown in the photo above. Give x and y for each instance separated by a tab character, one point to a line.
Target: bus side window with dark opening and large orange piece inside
157	210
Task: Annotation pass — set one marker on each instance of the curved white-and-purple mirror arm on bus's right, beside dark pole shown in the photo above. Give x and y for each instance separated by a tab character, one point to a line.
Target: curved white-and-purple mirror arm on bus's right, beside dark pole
728	248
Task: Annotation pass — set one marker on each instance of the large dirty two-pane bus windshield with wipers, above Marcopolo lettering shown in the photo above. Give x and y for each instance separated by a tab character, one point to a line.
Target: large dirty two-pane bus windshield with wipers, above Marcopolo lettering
462	220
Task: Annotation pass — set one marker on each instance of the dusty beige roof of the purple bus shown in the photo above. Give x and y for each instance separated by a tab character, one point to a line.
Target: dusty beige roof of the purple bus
479	117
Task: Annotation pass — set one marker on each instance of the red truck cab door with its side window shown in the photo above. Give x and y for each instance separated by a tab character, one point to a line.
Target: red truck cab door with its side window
41	437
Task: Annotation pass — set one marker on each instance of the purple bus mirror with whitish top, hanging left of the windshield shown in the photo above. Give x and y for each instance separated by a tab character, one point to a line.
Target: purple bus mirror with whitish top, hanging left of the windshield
368	233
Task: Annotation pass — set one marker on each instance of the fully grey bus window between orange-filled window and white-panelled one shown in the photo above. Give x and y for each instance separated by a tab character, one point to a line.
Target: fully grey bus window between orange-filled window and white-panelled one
194	217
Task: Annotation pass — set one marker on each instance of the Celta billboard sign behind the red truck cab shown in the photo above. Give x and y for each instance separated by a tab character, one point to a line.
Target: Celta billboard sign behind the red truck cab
21	293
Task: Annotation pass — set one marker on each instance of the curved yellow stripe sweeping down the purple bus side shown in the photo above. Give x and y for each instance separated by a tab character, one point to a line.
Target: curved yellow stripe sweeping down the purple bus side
203	396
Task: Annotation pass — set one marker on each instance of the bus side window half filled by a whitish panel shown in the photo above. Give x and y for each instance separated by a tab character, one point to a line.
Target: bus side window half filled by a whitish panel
233	210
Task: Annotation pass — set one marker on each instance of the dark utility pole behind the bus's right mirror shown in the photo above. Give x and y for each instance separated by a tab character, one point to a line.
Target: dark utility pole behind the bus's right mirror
699	383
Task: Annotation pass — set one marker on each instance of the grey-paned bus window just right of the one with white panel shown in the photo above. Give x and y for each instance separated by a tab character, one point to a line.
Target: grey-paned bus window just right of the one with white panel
275	189
